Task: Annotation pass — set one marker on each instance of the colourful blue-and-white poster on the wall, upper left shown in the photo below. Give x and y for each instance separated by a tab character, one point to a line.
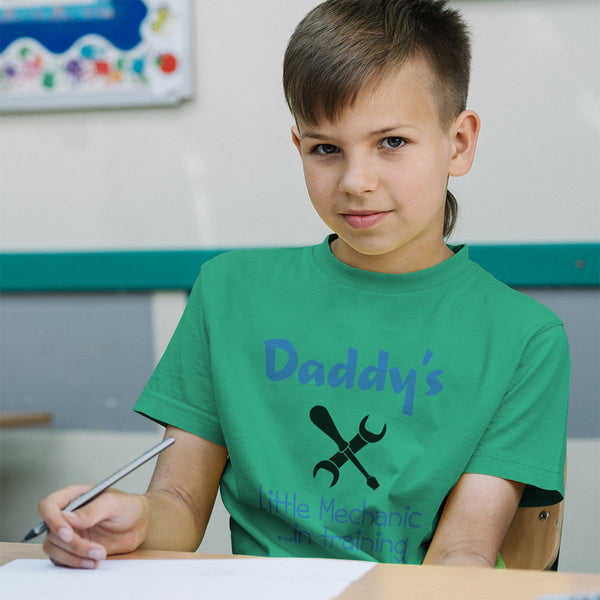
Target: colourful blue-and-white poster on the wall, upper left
65	54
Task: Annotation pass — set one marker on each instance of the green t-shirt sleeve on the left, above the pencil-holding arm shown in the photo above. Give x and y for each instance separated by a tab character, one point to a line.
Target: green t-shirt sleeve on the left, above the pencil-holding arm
179	392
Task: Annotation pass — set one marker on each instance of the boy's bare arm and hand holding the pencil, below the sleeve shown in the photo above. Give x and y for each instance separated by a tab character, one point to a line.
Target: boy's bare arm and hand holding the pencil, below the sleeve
172	515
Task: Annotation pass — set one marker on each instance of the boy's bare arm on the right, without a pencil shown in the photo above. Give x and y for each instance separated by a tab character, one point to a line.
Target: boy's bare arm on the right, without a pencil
475	519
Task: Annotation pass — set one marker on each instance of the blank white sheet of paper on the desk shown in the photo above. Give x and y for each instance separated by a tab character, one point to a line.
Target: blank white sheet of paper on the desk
247	578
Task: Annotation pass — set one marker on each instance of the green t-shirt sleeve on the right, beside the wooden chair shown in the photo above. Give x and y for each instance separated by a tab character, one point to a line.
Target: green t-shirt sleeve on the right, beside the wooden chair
526	439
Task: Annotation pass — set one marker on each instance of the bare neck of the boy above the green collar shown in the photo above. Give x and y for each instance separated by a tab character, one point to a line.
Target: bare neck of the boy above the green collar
403	260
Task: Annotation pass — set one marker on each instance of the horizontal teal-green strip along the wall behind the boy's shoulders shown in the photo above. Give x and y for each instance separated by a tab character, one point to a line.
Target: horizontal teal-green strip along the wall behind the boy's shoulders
532	265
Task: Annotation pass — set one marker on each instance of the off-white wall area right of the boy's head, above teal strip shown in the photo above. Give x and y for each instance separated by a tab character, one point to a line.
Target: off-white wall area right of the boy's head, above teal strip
536	86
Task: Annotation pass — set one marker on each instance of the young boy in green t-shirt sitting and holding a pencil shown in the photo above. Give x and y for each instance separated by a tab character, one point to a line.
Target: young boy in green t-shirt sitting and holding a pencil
377	396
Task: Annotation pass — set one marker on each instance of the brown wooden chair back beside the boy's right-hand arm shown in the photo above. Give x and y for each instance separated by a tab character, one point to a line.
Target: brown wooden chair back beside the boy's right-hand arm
533	538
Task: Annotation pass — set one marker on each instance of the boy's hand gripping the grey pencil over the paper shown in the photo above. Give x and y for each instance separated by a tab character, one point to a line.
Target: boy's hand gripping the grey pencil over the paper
113	523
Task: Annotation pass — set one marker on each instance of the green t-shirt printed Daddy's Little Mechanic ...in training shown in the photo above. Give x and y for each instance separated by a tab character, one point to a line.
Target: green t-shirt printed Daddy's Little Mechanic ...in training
351	402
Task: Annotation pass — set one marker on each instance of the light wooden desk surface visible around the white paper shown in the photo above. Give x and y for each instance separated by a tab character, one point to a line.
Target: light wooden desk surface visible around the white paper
409	582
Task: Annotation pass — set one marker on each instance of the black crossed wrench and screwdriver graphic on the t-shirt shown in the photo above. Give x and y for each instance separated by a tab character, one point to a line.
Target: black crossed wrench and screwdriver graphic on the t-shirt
320	416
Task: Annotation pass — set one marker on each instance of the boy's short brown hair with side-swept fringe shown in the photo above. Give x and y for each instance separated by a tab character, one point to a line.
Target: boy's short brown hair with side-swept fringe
341	45
